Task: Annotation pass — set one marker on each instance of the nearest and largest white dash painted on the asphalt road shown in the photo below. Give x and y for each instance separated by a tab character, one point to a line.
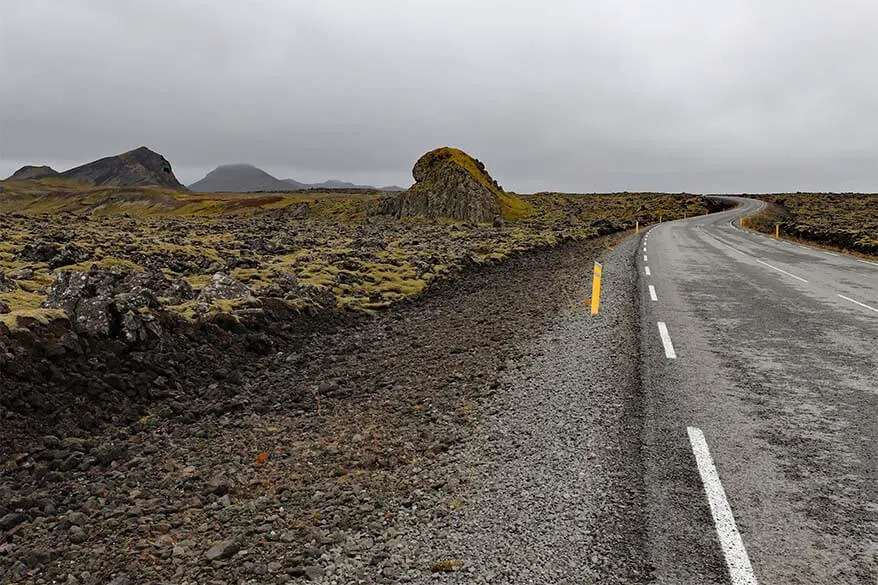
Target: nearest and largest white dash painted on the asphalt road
740	569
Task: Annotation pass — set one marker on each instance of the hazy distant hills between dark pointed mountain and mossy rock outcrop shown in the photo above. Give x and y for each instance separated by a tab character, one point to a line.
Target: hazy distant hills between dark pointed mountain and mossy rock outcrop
244	178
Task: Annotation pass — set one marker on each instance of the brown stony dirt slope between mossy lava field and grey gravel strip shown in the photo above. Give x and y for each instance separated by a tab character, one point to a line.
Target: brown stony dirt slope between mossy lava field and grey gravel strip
302	457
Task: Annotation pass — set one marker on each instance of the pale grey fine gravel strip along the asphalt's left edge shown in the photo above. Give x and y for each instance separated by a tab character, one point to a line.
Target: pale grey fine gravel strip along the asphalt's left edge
555	477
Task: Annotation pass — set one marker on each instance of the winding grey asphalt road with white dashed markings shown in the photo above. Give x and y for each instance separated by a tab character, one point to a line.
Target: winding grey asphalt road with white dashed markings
776	364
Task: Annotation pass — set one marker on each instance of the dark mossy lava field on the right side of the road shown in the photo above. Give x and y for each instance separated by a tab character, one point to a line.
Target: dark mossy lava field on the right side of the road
844	221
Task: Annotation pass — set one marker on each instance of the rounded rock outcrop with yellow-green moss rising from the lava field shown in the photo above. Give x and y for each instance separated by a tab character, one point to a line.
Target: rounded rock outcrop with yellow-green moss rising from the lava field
450	183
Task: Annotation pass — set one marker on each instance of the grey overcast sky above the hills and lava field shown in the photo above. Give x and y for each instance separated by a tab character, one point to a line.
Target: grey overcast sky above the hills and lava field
667	95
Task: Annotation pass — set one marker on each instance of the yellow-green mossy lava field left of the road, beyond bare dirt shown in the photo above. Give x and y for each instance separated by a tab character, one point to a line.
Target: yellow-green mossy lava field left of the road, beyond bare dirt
366	262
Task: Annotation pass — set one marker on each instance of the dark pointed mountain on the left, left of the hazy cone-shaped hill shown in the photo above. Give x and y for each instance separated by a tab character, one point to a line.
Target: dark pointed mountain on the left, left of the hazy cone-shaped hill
138	167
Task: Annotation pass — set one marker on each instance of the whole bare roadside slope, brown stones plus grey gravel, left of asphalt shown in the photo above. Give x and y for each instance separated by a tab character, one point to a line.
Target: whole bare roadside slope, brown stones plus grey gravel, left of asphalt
349	459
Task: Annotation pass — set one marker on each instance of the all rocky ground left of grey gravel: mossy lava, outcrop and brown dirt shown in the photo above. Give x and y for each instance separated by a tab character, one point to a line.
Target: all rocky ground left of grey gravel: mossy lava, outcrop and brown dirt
265	388
